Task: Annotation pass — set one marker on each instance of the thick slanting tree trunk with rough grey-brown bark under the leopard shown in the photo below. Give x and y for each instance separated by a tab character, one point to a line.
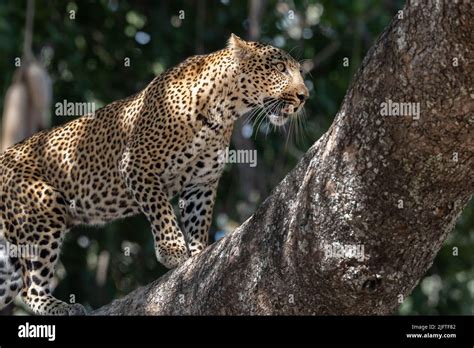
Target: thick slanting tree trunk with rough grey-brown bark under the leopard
394	185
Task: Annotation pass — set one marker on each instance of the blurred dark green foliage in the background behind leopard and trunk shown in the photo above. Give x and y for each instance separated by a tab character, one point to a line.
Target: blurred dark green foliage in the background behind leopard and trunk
86	56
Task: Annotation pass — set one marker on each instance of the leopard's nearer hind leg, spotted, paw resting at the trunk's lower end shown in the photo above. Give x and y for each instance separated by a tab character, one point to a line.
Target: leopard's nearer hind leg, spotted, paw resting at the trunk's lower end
37	227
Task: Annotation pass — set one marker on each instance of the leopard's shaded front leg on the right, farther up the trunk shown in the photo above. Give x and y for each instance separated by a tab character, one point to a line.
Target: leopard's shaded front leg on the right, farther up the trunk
196	205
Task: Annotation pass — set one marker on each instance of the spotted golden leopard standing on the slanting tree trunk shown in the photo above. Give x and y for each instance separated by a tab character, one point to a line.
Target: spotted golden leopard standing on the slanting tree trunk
134	156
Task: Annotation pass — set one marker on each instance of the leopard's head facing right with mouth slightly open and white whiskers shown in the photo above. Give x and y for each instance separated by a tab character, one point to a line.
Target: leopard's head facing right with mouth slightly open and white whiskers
269	78
